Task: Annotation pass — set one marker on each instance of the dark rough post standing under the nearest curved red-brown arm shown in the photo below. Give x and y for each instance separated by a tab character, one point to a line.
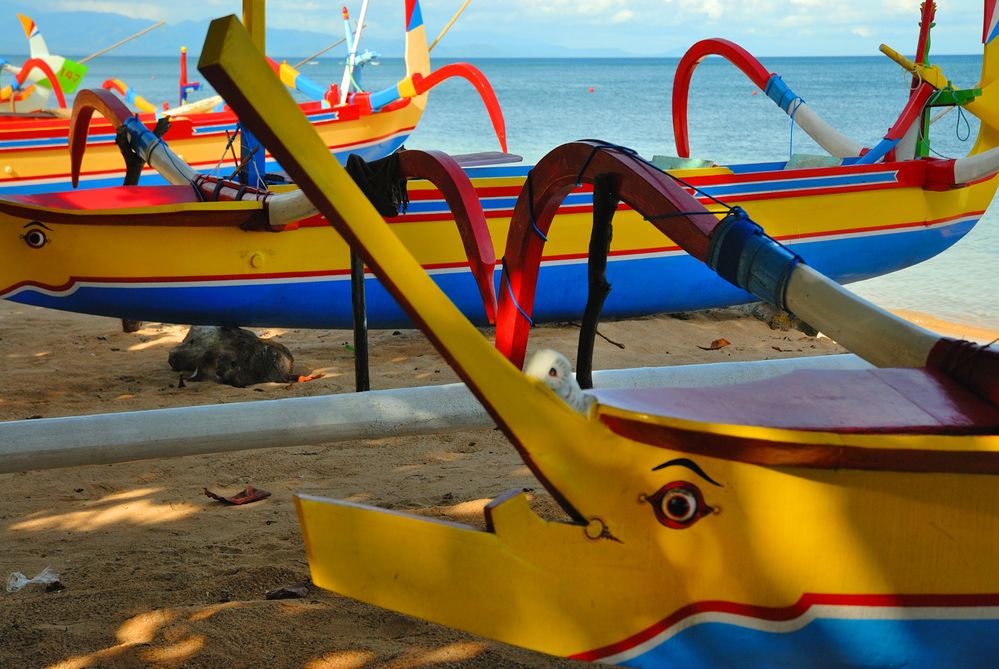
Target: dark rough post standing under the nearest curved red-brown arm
605	203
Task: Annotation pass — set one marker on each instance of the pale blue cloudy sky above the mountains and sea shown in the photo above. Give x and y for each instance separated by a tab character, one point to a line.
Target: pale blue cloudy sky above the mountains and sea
627	27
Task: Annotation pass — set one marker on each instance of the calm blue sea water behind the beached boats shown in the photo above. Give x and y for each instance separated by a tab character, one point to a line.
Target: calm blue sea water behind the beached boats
547	102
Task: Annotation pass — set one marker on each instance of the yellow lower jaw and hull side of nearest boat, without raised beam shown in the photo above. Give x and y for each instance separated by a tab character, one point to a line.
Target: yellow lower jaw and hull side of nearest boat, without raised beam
777	535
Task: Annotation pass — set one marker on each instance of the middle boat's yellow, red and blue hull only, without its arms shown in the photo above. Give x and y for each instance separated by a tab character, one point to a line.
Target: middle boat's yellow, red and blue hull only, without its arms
851	223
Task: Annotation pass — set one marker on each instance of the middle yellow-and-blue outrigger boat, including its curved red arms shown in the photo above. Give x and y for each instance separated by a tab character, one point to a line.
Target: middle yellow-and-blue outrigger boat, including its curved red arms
164	254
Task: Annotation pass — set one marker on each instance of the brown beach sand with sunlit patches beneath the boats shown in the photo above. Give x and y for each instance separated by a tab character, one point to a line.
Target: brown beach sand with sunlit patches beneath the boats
156	574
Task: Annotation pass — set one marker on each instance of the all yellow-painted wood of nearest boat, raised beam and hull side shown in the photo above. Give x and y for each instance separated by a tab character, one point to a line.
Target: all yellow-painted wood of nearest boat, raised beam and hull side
773	534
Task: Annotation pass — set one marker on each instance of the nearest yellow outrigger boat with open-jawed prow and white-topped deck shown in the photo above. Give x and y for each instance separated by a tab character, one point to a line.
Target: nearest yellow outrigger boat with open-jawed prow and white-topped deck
836	519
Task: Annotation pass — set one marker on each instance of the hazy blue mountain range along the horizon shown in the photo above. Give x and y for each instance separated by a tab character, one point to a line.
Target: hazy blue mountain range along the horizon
78	34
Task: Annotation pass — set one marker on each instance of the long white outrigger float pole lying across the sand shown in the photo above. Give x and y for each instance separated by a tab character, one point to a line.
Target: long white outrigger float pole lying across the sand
49	443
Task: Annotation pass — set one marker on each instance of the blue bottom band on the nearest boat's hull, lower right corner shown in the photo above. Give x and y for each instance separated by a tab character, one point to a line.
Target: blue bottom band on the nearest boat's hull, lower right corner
831	644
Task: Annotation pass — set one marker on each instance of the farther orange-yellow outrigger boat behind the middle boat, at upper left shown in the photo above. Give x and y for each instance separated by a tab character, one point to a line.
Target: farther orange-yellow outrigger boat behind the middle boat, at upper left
370	124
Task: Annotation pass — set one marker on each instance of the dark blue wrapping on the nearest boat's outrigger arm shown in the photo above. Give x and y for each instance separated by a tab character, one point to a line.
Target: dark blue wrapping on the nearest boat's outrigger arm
743	254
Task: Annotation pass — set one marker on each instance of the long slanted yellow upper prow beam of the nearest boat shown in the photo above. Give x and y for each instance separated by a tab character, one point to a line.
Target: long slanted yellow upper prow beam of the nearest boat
237	70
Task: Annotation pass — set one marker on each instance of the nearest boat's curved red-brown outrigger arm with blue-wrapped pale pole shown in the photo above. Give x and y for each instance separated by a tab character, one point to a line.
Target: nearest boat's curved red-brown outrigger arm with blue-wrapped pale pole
733	246
